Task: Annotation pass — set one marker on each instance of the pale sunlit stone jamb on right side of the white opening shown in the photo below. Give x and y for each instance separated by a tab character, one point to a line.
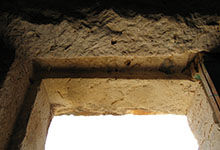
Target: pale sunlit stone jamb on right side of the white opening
200	117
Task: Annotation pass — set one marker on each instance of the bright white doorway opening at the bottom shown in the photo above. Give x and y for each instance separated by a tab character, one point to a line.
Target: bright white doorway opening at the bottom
128	132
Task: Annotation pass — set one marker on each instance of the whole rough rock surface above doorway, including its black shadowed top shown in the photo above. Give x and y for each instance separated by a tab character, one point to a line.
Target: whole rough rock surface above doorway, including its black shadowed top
96	28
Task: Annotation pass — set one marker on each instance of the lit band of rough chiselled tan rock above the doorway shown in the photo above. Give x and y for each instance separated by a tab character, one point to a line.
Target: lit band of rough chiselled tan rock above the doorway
108	33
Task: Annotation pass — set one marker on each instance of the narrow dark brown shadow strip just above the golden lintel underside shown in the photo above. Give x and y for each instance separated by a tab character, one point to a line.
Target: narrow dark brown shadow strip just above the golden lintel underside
62	73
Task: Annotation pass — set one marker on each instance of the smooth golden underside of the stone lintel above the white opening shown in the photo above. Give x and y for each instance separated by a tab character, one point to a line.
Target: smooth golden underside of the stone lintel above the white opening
119	96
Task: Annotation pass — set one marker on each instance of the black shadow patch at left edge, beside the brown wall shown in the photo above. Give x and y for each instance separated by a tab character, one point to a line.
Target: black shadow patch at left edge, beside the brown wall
7	55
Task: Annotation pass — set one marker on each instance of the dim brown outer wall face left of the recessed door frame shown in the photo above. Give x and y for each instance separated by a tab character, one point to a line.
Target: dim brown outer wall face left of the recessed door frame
12	95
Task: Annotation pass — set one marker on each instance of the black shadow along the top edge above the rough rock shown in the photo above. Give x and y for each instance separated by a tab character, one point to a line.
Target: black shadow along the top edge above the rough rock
79	9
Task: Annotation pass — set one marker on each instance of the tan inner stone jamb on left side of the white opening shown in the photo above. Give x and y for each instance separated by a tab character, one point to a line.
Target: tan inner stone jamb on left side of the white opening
38	124
